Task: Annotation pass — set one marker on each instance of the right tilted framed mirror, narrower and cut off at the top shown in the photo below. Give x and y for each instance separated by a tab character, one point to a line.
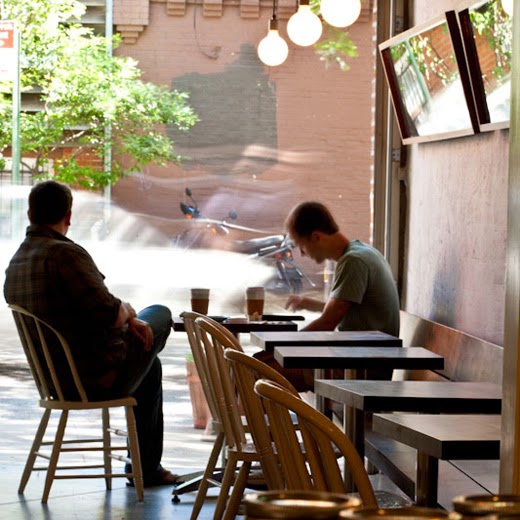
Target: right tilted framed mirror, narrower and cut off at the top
487	32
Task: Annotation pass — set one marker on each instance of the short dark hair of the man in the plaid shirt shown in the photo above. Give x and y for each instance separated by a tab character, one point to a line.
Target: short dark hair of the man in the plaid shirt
49	202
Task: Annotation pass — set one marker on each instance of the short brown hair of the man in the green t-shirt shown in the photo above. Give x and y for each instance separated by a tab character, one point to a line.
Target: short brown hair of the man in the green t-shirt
307	217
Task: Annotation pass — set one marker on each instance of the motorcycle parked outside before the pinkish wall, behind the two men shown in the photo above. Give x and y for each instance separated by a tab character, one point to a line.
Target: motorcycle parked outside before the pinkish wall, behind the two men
275	250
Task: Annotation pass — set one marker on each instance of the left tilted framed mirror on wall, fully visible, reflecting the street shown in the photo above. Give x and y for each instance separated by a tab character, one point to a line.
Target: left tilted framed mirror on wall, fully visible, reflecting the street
427	75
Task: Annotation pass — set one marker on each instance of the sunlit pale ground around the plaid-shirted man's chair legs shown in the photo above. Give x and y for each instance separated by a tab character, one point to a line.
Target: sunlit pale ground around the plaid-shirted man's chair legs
185	451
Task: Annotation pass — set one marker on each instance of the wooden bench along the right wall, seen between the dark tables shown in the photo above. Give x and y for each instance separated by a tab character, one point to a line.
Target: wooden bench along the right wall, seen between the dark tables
467	358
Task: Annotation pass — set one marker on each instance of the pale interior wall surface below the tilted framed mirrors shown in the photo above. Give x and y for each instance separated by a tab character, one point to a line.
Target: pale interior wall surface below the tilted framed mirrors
456	226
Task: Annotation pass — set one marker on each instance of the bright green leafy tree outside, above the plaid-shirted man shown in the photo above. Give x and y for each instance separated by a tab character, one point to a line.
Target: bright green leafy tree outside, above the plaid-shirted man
90	100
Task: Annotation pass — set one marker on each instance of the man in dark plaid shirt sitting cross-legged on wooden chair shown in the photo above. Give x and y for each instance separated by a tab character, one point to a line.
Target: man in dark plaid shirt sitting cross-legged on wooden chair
114	348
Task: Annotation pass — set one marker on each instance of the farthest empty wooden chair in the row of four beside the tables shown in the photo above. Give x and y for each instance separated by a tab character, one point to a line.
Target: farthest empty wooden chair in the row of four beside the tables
212	474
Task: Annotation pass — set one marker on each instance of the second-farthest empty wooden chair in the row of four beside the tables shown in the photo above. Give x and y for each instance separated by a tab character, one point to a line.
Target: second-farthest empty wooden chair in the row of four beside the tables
215	339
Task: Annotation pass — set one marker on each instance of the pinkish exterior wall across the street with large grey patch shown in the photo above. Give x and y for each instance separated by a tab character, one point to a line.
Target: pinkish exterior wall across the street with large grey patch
268	137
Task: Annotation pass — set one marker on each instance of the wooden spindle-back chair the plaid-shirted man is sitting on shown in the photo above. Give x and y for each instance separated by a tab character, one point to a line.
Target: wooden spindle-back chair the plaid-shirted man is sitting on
43	345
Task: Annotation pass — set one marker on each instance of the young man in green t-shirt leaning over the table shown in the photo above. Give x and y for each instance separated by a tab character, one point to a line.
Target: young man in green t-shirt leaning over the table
364	295
